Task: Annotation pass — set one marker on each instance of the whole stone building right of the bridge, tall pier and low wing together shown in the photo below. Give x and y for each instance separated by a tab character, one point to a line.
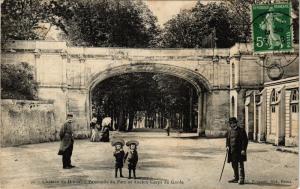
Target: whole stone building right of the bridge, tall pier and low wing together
264	95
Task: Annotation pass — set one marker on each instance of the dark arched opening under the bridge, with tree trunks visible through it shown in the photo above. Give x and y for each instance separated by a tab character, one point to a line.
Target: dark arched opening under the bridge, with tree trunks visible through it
146	101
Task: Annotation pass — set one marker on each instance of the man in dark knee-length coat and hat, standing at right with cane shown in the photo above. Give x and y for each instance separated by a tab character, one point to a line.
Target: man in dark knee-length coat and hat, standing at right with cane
236	144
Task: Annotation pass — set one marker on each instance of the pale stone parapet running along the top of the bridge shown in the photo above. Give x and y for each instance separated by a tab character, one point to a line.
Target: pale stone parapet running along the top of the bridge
116	51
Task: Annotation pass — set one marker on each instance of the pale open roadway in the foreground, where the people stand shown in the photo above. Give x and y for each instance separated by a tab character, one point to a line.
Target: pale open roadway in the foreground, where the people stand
178	161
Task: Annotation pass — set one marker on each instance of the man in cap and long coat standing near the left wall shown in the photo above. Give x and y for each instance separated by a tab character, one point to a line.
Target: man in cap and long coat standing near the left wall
66	144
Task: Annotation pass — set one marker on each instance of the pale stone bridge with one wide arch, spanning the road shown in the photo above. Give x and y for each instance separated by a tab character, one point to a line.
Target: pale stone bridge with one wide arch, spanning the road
67	75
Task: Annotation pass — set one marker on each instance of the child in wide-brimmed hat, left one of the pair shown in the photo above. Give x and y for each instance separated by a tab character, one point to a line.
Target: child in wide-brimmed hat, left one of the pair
119	156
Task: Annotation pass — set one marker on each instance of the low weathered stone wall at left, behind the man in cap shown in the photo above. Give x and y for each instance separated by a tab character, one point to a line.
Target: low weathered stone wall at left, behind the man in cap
27	122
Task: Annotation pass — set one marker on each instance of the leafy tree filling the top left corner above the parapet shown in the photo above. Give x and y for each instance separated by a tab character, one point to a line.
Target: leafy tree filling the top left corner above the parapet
20	19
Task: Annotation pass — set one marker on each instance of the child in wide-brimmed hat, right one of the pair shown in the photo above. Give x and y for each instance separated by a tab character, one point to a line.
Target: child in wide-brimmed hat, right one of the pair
132	157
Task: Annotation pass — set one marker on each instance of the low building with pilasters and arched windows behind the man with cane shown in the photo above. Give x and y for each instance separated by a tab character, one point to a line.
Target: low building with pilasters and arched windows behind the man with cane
272	115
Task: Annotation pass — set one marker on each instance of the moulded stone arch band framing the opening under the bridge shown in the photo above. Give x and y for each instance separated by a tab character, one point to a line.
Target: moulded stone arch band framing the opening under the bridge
200	83
